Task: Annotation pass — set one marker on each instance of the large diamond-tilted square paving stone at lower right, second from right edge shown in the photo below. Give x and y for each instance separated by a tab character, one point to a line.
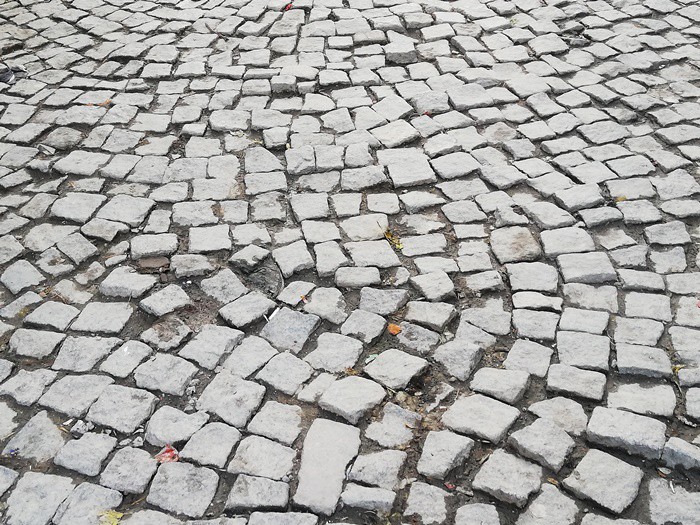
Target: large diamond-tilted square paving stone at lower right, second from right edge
610	482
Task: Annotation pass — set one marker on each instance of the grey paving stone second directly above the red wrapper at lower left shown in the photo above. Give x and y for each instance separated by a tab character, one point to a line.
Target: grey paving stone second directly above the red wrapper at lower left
165	373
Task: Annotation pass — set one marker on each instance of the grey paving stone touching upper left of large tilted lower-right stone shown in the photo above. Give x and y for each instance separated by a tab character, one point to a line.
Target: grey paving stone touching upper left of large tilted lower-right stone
543	442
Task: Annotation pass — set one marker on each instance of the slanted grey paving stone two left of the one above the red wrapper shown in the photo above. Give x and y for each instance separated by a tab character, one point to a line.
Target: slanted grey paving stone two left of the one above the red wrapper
73	395
